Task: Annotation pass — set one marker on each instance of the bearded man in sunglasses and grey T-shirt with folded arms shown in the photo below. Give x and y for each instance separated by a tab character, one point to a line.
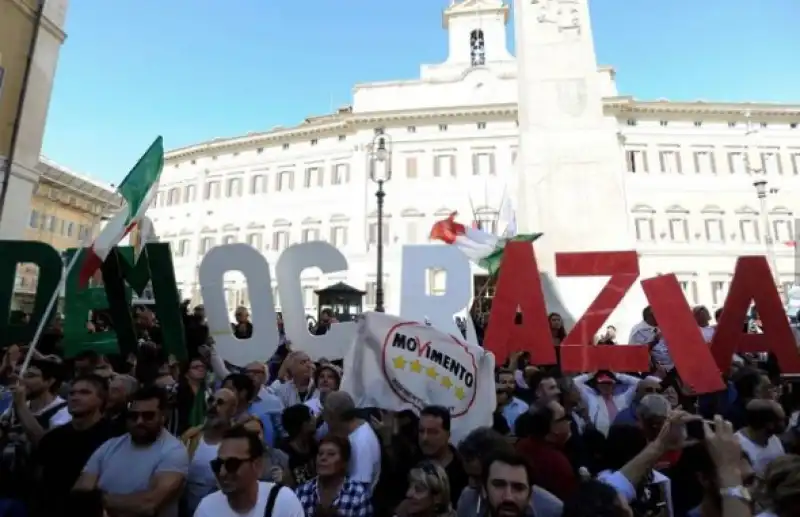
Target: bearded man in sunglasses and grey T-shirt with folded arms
143	471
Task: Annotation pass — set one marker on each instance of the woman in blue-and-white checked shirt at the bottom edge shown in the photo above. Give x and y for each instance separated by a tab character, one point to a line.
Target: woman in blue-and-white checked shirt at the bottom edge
331	493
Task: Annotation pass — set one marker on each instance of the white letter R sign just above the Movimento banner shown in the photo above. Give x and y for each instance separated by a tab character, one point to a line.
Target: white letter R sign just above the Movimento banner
417	305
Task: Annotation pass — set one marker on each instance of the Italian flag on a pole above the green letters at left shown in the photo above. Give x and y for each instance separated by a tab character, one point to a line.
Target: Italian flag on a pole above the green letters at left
137	190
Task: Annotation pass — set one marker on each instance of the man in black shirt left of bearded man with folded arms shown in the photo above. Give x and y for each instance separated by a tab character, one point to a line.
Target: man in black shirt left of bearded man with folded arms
63	452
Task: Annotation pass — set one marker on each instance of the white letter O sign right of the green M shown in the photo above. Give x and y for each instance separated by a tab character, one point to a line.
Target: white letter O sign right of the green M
252	264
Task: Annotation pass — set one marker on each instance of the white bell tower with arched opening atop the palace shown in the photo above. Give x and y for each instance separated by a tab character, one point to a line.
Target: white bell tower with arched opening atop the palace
476	32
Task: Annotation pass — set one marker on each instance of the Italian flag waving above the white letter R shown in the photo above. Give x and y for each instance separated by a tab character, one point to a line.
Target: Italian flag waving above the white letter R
482	248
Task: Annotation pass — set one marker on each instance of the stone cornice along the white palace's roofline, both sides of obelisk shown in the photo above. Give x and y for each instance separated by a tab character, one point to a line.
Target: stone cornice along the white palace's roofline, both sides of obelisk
347	122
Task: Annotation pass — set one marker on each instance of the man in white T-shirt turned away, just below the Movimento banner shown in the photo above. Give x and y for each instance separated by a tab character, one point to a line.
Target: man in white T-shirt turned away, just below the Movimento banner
365	456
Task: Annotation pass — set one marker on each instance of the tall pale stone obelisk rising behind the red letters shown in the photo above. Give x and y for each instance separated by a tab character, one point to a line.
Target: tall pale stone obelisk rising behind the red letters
571	179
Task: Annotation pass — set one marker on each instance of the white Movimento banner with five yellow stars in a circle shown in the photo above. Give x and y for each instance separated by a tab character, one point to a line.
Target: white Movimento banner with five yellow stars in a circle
396	364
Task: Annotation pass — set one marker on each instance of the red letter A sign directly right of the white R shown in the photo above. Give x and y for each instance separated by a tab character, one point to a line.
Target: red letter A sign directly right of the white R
519	286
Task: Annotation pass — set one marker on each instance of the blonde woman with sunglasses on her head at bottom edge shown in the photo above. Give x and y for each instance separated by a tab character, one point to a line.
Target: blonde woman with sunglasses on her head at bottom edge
428	493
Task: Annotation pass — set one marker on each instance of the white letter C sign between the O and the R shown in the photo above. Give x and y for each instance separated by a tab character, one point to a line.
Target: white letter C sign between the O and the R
338	340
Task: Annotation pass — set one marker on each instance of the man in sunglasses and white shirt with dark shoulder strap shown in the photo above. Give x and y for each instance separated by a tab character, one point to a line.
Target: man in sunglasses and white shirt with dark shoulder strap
238	466
